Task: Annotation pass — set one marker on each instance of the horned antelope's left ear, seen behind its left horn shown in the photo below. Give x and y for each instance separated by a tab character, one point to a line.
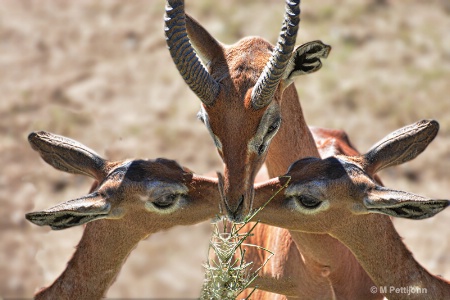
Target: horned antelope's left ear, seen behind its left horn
205	45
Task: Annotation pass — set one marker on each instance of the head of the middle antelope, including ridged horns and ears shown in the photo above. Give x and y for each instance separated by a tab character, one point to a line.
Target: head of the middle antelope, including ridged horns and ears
241	88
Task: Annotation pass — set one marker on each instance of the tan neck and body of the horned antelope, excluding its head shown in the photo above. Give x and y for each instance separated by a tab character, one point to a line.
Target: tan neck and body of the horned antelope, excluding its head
319	254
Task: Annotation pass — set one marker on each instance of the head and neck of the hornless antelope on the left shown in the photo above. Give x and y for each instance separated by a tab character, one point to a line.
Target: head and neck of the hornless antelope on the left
106	244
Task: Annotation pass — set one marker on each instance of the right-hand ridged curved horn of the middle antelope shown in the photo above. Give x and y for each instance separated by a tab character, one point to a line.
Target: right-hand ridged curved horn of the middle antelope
270	77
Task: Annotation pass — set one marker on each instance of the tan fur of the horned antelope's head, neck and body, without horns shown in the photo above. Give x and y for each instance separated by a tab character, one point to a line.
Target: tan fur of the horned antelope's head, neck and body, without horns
234	122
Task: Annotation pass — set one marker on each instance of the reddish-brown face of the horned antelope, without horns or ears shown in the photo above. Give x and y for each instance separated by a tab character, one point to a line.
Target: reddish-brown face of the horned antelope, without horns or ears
241	133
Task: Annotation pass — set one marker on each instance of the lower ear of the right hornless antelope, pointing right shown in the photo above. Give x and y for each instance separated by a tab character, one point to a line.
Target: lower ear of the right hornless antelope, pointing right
402	204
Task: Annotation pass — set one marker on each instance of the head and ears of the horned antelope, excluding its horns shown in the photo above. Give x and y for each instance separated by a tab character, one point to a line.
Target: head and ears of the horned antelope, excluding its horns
241	130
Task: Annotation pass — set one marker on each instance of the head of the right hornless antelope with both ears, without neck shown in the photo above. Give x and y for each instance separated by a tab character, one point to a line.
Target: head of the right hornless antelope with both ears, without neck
326	195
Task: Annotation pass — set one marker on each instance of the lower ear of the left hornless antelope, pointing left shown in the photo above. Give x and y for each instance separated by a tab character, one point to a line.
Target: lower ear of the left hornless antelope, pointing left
72	213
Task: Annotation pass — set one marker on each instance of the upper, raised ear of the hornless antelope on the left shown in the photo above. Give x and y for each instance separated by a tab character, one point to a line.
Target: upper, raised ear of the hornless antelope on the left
68	155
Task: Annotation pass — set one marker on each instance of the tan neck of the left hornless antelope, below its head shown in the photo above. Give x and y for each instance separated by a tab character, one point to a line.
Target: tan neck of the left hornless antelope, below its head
103	249
